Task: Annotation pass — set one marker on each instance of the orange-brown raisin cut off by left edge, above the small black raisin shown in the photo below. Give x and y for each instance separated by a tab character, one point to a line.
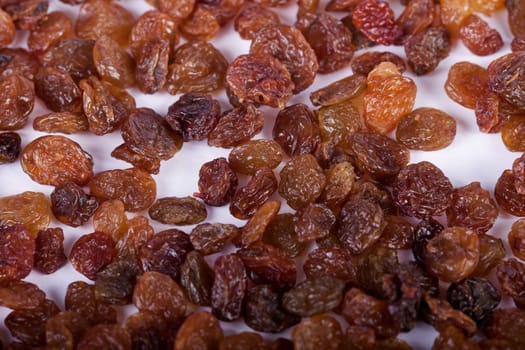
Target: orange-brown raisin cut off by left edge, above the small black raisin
17	99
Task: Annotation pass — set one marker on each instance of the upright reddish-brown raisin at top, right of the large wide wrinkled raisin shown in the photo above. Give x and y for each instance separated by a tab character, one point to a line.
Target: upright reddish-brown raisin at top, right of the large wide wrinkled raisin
331	41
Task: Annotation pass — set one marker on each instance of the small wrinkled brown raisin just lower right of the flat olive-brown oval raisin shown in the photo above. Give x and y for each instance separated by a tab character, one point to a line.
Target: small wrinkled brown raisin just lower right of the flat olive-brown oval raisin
211	238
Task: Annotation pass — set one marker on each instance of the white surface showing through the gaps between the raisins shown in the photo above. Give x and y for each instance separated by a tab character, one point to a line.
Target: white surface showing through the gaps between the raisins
473	156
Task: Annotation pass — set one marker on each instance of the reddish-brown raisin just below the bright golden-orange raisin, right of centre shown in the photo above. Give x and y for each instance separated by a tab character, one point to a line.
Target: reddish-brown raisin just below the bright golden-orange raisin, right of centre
377	154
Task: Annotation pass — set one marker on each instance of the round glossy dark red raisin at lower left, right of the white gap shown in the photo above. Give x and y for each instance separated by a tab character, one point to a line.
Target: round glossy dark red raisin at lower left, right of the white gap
92	252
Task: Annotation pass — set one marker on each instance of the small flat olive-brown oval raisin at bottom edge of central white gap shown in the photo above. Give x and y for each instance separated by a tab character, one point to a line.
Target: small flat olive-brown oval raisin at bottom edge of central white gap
178	211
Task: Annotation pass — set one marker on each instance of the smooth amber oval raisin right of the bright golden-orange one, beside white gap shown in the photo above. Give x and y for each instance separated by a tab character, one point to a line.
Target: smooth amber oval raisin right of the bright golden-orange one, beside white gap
426	129
